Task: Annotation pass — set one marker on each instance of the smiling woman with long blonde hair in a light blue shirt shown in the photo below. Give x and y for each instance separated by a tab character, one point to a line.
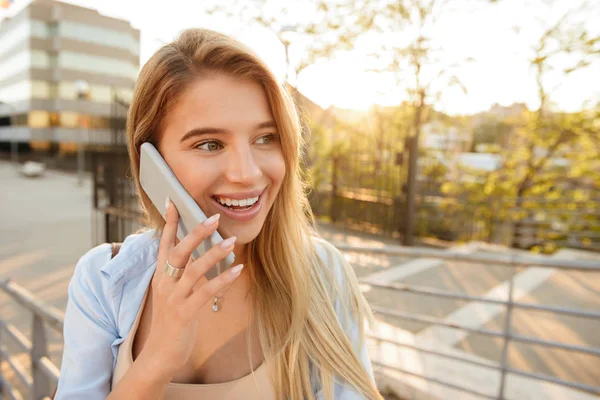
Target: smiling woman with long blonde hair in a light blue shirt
284	324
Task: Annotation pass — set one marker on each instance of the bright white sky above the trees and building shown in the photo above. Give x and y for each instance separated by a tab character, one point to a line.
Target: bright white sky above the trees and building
499	73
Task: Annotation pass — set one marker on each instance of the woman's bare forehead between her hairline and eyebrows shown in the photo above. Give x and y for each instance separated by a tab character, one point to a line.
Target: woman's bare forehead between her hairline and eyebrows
218	101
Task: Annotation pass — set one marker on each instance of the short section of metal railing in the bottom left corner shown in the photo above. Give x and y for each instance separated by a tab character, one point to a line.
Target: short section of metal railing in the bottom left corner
44	373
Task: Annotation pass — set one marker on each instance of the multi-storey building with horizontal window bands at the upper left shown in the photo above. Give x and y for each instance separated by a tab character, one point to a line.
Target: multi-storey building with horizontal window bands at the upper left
61	67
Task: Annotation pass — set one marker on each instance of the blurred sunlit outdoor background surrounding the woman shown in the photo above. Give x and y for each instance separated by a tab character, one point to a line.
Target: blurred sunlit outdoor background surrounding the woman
453	152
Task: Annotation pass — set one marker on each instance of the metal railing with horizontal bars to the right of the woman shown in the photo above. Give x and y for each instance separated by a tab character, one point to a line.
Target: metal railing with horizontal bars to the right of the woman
508	261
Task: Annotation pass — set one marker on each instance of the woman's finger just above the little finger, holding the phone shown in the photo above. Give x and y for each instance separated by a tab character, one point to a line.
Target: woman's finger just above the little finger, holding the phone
199	267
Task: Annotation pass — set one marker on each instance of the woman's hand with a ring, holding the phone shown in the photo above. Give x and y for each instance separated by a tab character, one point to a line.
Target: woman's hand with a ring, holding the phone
177	301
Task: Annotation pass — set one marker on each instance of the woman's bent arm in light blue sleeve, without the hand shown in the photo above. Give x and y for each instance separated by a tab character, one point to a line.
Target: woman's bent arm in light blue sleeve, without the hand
89	335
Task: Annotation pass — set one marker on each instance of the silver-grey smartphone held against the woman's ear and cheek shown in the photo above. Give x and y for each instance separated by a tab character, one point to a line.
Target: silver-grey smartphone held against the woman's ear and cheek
159	182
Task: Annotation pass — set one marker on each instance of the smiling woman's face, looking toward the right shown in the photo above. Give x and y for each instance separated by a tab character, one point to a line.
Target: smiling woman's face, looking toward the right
221	142
